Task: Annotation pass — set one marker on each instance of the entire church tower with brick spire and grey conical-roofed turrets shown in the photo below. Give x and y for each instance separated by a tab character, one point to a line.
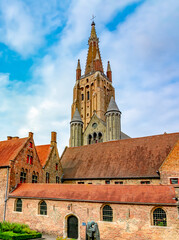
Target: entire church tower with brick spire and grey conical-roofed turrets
95	116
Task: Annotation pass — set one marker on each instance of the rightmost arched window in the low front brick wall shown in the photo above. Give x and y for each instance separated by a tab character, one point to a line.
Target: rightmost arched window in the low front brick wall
159	217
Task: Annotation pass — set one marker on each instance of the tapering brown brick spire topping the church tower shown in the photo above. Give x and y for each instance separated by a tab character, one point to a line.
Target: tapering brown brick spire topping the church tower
93	51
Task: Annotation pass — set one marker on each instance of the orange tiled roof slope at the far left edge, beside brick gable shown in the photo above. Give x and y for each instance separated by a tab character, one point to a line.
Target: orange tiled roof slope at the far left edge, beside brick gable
9	150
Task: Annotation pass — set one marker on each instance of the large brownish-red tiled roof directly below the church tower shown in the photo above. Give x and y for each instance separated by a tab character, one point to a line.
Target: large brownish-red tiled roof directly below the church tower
128	158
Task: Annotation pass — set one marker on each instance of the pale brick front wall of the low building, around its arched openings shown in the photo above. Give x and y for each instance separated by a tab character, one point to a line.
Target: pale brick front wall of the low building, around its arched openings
129	221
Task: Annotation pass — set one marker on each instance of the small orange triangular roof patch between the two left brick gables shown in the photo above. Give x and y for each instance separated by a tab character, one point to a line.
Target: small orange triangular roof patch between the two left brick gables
43	152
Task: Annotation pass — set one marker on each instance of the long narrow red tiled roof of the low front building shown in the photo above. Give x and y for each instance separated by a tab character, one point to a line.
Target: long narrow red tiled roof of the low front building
98	193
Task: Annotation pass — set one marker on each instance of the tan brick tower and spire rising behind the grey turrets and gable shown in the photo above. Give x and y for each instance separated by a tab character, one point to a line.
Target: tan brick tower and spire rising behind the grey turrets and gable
93	90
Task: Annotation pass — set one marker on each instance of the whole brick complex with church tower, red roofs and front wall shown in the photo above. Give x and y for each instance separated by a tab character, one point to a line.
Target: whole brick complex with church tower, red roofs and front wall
129	187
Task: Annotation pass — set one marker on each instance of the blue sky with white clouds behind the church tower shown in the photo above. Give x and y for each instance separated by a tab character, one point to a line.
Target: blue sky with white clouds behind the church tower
41	40
